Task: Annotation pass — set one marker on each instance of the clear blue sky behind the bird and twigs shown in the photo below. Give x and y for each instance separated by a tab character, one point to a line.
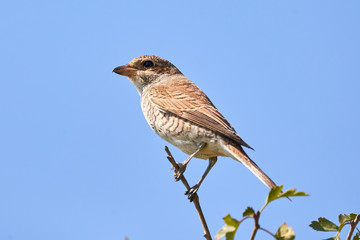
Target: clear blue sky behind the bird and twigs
78	160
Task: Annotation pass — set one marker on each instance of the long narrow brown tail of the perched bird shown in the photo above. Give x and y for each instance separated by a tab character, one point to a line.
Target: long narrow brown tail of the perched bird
239	154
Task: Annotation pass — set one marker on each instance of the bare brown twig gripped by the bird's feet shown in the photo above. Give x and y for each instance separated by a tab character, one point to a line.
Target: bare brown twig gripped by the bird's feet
195	198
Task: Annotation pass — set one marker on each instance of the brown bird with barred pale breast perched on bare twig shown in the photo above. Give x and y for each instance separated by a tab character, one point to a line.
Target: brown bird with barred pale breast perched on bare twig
182	114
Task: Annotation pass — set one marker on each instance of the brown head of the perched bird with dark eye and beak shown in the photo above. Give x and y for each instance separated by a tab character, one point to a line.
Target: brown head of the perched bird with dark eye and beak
146	70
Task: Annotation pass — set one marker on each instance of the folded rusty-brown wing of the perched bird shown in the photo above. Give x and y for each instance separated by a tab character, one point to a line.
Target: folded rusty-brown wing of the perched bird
184	99
